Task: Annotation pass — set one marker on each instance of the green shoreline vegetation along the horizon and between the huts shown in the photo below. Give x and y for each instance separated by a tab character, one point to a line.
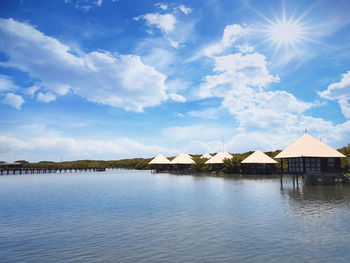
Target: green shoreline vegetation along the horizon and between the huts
231	166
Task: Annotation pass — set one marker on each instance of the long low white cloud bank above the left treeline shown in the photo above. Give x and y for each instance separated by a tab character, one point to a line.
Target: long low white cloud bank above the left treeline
53	147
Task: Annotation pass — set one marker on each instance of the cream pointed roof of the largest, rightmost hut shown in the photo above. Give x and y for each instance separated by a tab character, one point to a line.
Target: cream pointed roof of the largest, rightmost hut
308	146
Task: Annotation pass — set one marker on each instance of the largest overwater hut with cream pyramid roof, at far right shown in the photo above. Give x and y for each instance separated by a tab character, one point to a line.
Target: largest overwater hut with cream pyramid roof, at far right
310	156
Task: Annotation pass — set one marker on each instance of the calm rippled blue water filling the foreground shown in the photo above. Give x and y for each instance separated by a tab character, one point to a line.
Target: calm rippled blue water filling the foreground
134	216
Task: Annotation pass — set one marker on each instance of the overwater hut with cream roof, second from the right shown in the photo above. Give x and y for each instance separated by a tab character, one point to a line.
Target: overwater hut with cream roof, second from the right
258	163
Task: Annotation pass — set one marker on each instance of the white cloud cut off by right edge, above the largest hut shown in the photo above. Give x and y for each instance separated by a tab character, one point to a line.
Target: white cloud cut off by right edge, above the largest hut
340	91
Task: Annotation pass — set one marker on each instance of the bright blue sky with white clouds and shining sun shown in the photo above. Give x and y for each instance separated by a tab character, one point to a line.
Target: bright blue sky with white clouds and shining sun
114	79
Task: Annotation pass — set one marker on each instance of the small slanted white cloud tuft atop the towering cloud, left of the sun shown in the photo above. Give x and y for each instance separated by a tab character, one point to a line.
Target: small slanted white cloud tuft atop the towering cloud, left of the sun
231	34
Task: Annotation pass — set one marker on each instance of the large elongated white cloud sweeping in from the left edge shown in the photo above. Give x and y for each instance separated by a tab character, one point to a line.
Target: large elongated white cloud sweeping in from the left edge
98	76
